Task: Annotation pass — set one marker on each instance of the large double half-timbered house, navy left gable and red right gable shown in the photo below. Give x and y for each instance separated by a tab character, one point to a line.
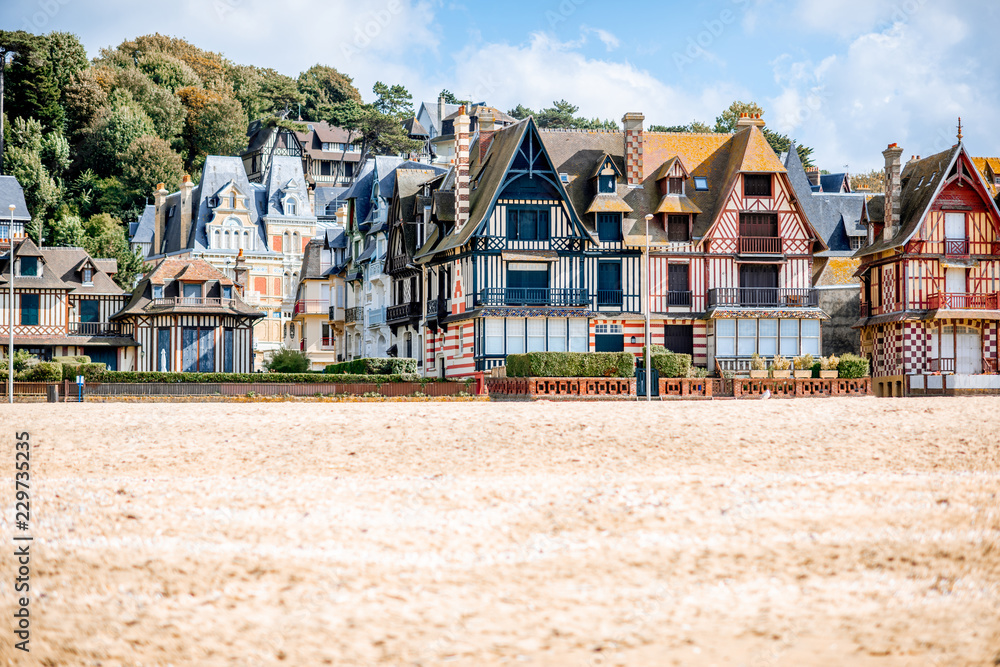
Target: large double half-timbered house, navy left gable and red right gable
541	247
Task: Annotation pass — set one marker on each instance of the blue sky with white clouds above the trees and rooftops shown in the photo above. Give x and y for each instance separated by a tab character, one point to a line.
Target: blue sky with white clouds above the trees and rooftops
846	77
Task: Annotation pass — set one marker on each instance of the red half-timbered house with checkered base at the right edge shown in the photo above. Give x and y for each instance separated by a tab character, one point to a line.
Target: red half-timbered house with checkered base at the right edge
930	277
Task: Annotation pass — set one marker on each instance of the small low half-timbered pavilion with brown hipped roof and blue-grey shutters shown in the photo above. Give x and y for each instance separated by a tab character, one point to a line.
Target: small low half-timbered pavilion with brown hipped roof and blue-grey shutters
189	317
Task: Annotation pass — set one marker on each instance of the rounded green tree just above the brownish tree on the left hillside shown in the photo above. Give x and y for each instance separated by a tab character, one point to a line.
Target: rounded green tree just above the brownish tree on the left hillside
110	133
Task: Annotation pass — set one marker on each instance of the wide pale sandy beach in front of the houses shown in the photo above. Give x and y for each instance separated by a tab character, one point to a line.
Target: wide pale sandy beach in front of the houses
806	532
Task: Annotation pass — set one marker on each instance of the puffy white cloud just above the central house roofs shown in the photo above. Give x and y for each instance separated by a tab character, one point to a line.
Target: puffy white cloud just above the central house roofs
545	69
